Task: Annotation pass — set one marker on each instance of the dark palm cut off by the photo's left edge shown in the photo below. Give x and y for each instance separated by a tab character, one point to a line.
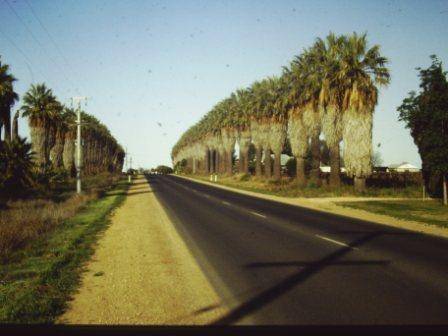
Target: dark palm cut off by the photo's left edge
7	99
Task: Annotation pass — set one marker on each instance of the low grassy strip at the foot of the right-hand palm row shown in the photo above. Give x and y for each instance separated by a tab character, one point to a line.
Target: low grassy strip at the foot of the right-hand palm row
287	187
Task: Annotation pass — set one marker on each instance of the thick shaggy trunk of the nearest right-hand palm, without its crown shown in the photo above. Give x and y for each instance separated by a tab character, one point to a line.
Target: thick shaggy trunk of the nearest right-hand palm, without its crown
357	134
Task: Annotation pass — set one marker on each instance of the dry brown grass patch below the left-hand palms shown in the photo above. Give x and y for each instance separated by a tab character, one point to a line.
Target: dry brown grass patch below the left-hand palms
24	221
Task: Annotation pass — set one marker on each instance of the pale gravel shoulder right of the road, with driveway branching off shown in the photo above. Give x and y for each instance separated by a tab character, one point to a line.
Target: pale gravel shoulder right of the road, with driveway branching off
330	205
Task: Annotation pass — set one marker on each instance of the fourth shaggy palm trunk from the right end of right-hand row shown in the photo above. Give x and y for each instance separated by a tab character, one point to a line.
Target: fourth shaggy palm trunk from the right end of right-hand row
298	139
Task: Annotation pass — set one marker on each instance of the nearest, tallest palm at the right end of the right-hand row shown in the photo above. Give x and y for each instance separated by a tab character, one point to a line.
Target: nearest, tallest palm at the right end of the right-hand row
362	70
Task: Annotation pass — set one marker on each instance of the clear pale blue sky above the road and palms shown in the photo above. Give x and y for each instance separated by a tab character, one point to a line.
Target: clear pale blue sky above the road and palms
151	69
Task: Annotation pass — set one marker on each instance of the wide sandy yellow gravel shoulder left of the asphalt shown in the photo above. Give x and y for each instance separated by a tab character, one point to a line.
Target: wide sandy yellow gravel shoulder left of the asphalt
142	272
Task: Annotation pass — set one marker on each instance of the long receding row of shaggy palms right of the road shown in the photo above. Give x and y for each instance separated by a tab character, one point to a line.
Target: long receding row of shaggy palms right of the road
329	90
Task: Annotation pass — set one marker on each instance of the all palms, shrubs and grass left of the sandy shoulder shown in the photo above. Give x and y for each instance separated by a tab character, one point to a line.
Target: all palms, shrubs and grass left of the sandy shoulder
46	230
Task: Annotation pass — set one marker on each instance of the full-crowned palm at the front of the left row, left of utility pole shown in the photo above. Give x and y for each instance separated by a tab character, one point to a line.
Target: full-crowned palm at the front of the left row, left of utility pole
40	106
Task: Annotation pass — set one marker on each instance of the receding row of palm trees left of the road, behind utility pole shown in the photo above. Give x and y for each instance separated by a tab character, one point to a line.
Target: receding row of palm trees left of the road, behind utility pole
53	130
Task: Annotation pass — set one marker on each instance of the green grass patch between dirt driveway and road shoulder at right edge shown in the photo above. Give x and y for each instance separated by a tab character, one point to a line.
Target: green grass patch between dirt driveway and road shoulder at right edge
428	212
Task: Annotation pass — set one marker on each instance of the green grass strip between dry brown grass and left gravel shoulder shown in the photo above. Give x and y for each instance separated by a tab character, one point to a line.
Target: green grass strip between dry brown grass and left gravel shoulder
38	280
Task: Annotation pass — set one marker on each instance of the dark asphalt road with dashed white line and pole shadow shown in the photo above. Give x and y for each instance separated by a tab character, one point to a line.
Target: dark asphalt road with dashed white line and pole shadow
280	264
